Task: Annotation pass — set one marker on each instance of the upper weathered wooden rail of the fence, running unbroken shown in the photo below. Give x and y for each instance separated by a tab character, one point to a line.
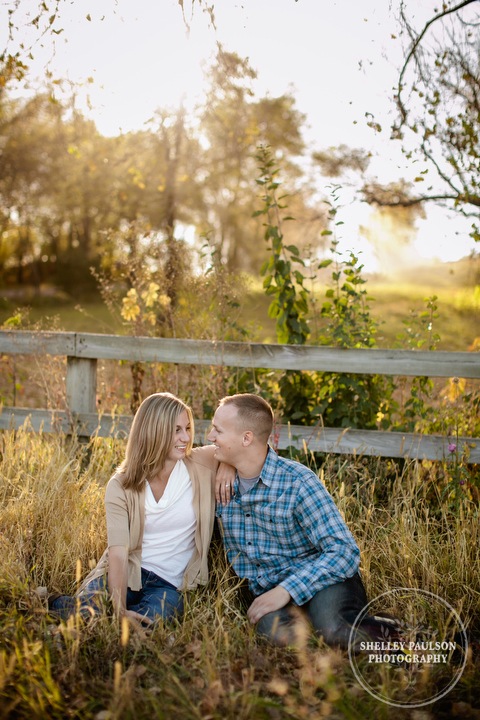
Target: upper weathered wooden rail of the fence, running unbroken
252	355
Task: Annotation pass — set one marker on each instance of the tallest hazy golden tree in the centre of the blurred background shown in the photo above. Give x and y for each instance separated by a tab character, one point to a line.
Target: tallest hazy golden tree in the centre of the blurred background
234	123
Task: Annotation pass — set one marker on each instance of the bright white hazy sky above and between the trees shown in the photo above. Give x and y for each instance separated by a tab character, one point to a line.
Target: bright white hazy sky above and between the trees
338	58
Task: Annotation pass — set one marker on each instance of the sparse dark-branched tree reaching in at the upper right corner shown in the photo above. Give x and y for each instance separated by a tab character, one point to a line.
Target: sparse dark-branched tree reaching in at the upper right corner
437	100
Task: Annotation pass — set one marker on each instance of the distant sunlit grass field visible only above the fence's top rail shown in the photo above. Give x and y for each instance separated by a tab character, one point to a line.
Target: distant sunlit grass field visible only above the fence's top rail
456	286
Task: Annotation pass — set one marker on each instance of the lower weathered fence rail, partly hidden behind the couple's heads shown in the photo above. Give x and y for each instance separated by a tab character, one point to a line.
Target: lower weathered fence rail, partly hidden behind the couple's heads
325	440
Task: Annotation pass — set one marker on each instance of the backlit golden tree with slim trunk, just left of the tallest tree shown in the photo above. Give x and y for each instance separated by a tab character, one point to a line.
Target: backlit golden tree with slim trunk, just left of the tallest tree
157	189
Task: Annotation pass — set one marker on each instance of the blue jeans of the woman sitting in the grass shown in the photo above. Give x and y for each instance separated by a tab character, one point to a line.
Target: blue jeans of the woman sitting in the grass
157	599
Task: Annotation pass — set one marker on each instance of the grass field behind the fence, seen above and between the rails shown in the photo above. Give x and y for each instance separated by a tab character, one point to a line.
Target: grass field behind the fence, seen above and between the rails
397	306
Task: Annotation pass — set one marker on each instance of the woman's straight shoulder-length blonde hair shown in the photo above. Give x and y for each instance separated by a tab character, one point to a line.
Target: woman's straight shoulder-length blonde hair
151	438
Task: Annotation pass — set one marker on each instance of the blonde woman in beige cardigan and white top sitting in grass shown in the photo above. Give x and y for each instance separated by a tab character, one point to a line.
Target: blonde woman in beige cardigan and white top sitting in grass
160	510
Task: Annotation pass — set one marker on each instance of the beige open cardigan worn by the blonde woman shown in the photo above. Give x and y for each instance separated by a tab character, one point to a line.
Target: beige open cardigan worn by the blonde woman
125	511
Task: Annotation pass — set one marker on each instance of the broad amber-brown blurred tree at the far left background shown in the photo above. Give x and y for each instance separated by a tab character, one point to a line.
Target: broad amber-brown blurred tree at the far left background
56	189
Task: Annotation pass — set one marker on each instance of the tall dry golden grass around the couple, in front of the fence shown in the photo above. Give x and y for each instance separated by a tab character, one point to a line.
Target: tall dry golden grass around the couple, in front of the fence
211	664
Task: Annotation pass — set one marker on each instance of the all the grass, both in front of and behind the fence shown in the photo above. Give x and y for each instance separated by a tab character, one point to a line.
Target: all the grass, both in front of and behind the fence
417	525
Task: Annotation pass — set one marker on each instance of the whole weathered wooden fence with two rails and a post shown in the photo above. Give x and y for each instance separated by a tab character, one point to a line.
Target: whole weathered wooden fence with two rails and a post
84	349
